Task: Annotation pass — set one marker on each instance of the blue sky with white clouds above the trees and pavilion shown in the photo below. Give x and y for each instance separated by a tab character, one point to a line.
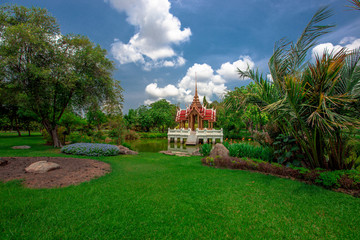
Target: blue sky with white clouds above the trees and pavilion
158	45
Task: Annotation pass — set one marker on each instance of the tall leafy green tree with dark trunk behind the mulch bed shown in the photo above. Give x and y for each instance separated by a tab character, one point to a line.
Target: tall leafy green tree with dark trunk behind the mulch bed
52	71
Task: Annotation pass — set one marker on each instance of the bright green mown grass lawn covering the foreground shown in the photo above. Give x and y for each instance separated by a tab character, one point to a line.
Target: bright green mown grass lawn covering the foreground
153	196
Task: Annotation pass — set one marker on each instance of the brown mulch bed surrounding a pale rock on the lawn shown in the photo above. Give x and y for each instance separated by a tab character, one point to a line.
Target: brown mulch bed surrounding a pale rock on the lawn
72	171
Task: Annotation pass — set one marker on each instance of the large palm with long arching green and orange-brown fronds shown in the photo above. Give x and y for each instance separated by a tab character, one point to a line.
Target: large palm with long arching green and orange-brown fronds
312	102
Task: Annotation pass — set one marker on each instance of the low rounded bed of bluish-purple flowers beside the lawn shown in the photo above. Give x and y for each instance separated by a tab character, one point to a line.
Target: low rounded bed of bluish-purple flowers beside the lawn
91	149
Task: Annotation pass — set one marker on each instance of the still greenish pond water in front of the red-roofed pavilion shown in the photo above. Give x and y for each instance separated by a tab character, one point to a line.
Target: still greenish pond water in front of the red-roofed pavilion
156	145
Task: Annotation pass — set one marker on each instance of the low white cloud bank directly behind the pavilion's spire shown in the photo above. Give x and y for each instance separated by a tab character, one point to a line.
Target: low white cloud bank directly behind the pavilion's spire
210	83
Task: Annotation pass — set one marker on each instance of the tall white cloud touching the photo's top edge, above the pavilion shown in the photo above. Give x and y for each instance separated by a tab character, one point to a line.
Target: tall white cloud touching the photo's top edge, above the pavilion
157	31
